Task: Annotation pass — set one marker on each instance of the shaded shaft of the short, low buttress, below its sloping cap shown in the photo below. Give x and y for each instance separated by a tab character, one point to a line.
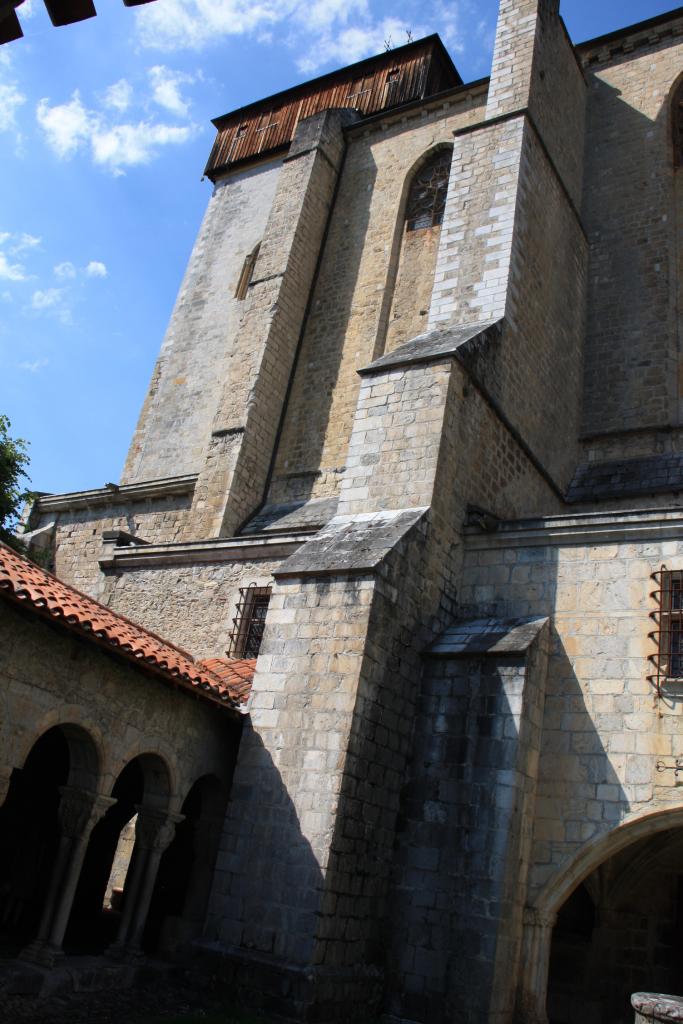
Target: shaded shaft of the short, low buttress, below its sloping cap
455	927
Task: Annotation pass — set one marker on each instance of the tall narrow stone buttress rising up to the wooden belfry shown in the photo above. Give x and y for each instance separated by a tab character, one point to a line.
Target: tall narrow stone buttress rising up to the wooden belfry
246	424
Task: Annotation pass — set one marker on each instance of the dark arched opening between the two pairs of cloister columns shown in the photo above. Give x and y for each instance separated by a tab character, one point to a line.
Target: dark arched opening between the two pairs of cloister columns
95	921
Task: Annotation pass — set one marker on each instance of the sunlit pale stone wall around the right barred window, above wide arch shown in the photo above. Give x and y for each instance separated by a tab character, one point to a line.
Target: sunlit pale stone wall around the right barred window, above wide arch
604	729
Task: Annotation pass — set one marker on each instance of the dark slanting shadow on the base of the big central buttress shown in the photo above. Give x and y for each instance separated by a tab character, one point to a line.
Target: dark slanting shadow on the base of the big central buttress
268	884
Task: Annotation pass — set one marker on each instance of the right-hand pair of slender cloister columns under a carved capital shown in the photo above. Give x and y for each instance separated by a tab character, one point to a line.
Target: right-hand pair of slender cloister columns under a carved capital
154	834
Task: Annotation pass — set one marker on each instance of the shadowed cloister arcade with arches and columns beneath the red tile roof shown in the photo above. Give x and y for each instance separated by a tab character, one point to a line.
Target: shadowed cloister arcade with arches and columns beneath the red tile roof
92	748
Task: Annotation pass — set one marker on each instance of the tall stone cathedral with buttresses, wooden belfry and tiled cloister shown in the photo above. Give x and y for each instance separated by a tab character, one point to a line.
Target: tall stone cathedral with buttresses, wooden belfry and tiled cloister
364	687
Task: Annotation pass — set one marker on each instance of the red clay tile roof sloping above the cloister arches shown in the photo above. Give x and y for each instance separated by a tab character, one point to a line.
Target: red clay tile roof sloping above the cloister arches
224	681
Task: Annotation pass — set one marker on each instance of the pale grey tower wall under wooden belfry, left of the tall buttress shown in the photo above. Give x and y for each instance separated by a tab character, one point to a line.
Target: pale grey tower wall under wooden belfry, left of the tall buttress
176	422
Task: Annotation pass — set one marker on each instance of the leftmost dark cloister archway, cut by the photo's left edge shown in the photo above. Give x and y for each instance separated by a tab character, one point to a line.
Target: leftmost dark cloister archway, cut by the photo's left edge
30	831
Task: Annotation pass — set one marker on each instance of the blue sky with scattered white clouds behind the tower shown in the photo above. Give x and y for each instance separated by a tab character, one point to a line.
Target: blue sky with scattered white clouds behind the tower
105	131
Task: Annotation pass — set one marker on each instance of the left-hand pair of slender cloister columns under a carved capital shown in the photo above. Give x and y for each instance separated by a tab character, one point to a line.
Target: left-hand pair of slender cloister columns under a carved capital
79	813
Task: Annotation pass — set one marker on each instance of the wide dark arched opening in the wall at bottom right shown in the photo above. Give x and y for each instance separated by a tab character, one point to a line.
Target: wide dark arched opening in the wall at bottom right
620	931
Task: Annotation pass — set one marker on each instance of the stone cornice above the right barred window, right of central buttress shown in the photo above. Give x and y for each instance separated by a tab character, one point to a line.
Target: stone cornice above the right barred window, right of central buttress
593	528
